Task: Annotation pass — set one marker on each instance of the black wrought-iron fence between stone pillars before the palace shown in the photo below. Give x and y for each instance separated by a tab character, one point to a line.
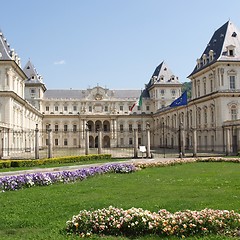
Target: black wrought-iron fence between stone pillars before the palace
165	142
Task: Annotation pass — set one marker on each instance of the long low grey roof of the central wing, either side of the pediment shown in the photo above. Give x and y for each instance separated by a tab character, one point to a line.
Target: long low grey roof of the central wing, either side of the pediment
81	94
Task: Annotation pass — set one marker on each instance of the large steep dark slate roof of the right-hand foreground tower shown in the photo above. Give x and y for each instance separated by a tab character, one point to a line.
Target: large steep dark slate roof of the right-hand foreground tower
223	37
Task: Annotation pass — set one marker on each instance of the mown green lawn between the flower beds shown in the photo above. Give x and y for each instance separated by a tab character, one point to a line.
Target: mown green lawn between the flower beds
41	212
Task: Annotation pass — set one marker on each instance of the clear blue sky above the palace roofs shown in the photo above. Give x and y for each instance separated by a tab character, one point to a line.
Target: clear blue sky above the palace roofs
114	43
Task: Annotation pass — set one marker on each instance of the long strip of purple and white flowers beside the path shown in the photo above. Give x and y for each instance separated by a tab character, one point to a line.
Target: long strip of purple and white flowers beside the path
43	179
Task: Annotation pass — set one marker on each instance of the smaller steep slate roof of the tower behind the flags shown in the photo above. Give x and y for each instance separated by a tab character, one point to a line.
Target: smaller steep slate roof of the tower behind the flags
162	75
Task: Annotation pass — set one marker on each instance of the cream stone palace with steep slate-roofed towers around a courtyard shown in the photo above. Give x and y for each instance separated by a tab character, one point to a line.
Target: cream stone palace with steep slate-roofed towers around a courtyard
210	120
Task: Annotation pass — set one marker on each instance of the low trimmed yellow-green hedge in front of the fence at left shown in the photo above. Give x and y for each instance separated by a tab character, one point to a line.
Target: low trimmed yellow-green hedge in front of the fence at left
59	160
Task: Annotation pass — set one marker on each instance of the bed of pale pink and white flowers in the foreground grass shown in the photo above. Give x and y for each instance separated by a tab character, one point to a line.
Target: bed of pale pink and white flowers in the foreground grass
136	221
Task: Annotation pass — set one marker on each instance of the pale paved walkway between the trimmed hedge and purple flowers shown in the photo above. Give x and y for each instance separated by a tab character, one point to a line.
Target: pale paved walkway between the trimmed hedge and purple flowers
75	167
